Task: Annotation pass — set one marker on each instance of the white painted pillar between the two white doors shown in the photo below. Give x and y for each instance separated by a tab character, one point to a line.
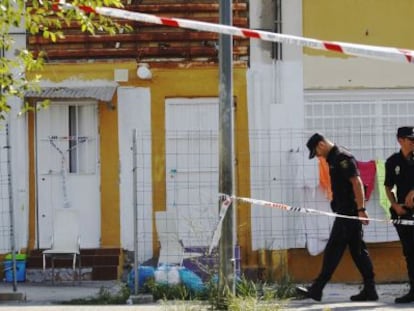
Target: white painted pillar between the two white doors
134	112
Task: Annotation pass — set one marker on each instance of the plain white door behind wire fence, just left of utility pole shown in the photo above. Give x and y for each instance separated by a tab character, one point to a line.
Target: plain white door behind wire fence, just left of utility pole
192	166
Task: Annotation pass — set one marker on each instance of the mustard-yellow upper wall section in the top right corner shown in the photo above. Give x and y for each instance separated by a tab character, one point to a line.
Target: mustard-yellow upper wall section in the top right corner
372	22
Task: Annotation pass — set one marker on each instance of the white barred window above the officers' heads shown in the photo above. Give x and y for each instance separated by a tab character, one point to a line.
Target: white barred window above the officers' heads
366	122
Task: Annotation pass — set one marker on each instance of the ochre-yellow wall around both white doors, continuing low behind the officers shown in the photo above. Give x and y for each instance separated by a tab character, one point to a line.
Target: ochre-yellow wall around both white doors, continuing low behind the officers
197	81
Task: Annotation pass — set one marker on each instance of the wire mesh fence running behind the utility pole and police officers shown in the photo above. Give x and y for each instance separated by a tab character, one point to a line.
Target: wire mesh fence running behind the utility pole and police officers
278	170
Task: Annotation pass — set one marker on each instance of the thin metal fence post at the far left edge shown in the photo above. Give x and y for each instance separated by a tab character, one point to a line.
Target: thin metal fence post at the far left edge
11	208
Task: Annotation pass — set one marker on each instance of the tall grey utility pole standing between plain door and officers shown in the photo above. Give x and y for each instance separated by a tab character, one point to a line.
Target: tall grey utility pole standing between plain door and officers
226	273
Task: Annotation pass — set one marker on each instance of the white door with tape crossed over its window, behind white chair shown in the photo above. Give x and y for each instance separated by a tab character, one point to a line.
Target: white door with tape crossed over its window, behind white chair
68	169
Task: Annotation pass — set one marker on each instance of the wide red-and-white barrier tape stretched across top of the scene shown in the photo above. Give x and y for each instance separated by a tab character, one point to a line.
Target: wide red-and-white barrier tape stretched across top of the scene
368	51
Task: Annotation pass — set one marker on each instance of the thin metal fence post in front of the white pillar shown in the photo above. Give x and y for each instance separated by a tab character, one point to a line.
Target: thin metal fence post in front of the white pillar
135	202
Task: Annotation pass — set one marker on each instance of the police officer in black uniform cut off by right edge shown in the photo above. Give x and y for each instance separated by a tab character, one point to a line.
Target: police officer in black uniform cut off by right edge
399	172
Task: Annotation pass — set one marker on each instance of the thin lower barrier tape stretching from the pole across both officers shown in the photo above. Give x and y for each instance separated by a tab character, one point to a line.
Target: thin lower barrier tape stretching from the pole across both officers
316	212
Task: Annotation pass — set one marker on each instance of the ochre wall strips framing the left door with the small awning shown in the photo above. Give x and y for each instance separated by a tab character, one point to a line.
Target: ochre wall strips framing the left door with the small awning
109	157
